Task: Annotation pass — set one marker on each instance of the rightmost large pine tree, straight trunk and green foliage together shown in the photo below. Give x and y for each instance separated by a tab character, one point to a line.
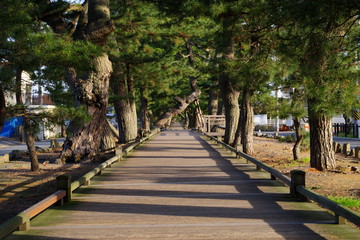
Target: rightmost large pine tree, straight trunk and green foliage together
321	37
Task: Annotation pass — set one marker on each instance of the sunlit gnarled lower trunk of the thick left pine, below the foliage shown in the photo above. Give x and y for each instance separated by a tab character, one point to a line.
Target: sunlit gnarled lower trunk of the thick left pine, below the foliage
91	91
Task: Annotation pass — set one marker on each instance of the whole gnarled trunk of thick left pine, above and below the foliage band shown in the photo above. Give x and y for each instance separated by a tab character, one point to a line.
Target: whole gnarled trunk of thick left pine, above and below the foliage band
91	88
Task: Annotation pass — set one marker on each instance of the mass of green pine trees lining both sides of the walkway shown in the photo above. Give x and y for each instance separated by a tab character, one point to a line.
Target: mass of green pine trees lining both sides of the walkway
149	51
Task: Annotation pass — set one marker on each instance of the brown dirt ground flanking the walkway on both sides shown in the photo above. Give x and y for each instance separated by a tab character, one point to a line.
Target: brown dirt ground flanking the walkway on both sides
20	188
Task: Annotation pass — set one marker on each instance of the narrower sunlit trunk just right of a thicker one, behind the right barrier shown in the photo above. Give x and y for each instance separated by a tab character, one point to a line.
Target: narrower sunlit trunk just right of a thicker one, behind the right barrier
247	122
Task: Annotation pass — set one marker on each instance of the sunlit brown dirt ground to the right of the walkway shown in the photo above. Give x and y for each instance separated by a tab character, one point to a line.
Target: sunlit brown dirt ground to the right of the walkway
344	181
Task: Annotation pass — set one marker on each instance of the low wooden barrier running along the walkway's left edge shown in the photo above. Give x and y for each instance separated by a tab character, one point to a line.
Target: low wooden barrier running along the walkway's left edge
65	187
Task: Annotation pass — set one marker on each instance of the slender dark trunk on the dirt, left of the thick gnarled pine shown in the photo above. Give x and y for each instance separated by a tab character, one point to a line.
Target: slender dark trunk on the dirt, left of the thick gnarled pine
30	143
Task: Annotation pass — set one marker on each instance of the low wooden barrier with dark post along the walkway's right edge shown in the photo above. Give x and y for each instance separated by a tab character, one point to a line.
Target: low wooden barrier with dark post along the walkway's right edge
297	187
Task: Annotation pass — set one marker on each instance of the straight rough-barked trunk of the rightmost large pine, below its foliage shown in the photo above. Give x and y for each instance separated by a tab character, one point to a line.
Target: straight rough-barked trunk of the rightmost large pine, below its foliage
321	151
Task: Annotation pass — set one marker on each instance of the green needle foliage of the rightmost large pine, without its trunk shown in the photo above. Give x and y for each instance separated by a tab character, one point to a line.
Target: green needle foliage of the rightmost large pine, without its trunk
318	43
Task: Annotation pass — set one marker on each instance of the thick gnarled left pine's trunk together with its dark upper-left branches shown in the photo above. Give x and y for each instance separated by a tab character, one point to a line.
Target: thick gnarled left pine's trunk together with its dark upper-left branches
89	23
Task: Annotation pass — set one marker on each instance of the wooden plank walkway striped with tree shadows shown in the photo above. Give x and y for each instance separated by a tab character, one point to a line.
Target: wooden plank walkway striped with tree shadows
179	186
